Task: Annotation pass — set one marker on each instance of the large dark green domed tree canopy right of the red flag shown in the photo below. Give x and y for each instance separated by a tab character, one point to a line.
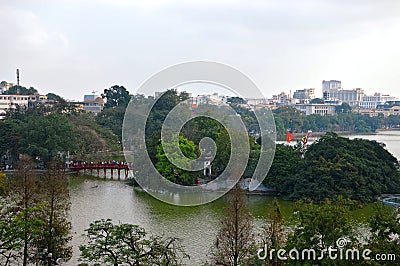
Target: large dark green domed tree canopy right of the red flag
357	169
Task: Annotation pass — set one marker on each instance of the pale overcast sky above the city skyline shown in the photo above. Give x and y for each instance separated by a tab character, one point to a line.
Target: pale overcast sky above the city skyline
73	47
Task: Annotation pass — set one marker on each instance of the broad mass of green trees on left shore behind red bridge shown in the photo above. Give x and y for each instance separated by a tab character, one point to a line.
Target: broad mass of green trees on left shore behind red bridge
45	133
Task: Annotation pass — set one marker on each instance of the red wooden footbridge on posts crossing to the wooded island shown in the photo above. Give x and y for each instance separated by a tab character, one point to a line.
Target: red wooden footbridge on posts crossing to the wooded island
91	167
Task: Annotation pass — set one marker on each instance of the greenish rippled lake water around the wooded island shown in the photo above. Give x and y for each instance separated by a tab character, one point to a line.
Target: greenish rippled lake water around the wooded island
94	198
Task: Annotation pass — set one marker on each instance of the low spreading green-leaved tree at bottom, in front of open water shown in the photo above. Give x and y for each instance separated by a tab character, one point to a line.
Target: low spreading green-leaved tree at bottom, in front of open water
129	244
